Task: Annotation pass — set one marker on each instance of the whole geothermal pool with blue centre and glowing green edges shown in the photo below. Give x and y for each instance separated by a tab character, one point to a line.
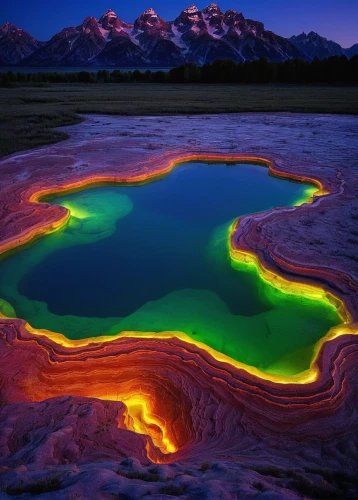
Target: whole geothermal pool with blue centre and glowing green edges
155	257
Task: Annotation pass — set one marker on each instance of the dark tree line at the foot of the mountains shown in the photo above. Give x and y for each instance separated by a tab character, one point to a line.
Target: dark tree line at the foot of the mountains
334	70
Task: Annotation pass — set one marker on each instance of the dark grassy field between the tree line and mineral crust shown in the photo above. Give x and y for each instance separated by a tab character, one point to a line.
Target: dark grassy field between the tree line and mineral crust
30	114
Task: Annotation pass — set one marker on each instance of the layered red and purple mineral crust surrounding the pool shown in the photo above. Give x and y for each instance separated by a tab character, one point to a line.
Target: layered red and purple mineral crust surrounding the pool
166	400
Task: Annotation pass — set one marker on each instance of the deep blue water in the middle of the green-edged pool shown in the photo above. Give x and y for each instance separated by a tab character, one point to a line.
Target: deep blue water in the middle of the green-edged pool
161	245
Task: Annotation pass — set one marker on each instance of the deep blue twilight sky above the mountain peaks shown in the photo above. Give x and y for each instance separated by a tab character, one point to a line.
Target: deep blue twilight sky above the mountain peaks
336	20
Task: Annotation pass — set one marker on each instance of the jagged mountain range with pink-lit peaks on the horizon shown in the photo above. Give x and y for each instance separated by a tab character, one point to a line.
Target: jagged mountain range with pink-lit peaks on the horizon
194	36
